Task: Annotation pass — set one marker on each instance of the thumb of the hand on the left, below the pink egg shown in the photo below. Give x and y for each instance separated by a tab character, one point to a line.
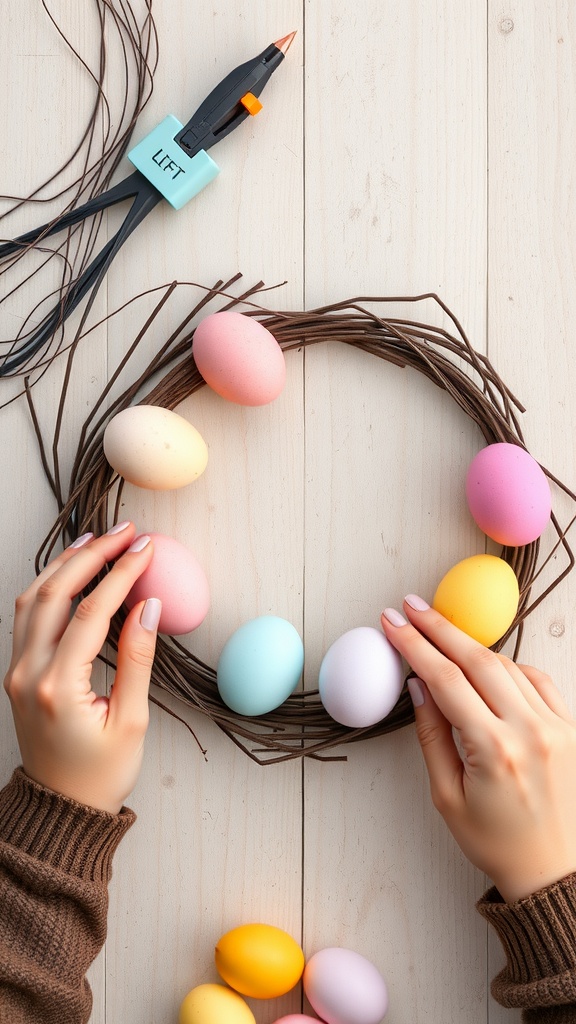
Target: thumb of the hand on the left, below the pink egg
137	647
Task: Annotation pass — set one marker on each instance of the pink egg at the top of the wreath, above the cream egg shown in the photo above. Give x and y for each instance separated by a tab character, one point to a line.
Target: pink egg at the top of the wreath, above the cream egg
239	359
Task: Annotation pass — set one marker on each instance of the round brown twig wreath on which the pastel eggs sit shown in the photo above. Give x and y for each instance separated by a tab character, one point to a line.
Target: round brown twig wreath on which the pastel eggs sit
301	727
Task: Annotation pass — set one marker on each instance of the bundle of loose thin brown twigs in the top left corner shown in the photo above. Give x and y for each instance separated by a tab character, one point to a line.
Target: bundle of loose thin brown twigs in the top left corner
126	55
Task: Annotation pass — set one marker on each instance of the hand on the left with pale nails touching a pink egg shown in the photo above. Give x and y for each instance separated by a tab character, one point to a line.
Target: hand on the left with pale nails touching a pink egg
73	742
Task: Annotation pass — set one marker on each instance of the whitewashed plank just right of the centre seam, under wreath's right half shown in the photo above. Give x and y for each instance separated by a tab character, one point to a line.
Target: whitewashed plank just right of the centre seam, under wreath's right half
380	873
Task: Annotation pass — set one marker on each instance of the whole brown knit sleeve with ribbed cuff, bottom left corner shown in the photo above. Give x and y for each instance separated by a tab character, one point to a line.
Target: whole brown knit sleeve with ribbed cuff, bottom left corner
56	859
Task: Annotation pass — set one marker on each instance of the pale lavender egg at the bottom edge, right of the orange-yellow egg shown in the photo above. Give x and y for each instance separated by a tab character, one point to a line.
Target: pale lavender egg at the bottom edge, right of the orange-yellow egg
345	989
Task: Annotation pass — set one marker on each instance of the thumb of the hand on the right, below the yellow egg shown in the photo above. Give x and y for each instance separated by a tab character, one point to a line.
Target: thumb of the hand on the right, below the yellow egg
437	741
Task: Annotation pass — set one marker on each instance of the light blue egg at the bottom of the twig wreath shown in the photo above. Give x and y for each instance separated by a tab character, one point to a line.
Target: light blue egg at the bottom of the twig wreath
261	666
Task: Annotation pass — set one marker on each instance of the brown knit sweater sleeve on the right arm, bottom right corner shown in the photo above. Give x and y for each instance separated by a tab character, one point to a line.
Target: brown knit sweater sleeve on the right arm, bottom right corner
539	935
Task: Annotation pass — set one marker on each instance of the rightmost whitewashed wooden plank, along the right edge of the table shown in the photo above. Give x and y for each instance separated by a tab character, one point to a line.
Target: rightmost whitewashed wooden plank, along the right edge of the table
532	295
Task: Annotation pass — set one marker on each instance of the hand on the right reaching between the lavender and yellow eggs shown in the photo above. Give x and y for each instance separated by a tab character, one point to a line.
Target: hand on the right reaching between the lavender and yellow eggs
508	790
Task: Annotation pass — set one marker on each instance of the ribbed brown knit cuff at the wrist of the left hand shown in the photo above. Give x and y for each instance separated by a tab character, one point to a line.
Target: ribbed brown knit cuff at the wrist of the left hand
60	832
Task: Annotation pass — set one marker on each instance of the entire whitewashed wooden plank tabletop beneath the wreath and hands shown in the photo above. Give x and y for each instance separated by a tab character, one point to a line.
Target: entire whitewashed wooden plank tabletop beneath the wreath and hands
401	149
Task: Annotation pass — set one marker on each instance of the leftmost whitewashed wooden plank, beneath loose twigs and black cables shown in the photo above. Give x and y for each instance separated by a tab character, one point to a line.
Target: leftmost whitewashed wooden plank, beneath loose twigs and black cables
47	102
